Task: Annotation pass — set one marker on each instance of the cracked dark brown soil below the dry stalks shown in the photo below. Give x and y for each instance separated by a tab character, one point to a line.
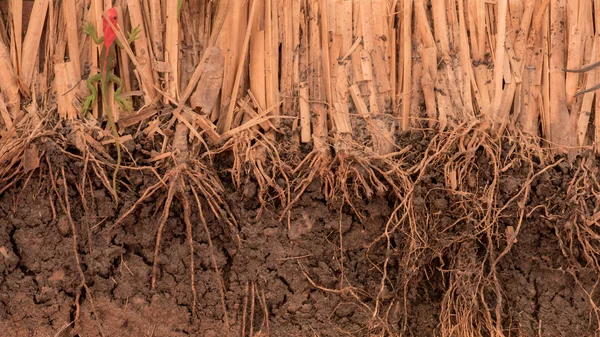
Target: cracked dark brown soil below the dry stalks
316	271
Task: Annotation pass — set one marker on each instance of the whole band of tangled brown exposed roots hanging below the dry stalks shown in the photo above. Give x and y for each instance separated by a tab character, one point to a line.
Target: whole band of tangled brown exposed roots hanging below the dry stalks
451	197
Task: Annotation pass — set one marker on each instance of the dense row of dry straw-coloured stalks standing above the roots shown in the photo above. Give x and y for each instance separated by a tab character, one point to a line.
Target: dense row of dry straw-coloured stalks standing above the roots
353	51
